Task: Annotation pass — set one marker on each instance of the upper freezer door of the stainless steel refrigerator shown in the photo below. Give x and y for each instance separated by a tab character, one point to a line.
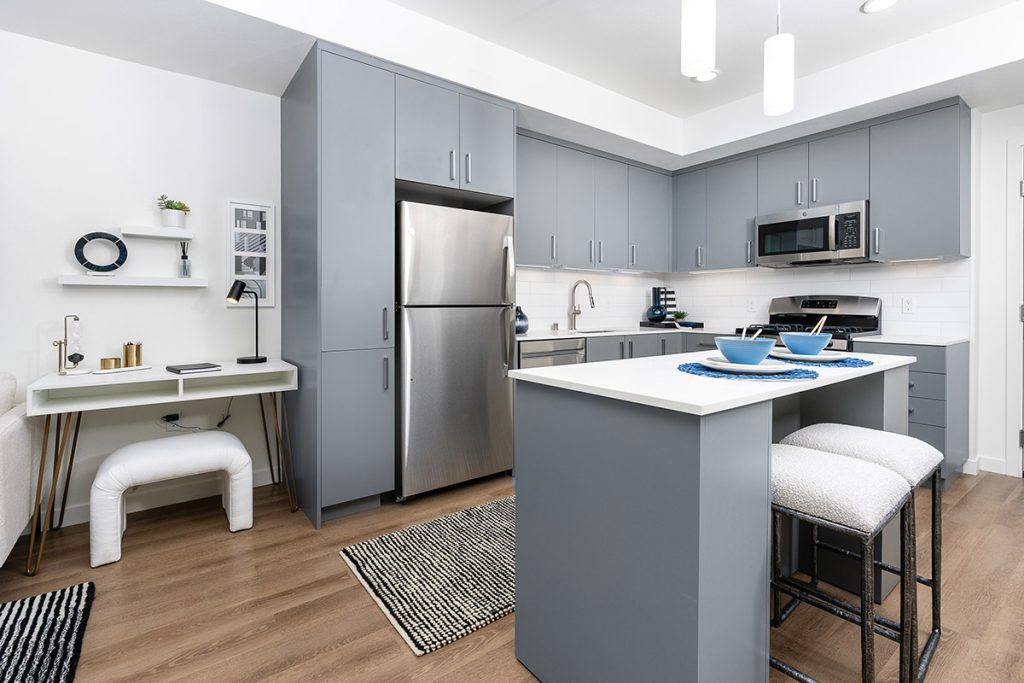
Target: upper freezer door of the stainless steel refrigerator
454	258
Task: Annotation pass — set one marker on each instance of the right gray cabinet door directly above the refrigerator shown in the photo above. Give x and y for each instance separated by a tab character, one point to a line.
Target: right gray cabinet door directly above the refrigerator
487	142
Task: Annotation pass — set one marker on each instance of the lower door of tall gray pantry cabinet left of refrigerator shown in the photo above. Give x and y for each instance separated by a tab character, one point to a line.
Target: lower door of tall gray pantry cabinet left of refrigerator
359	425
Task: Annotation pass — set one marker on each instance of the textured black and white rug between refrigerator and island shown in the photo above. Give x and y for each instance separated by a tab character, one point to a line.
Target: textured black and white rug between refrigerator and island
443	580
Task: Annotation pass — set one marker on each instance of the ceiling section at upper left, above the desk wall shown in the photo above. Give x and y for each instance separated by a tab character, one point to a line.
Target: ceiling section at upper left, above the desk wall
187	36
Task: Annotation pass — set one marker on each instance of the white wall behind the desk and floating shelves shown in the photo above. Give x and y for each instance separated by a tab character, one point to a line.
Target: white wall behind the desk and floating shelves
90	143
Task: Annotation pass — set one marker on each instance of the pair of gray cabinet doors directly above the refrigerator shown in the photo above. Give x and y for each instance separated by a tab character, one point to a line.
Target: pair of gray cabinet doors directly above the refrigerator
454	141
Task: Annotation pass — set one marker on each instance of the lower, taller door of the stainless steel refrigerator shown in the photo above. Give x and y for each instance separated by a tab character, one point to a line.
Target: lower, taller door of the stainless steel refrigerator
456	399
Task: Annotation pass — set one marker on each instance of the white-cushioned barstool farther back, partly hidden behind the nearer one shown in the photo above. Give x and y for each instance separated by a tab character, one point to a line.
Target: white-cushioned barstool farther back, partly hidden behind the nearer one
917	462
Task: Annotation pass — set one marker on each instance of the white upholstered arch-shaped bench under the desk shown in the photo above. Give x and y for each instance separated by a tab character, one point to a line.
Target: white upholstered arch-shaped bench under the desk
161	460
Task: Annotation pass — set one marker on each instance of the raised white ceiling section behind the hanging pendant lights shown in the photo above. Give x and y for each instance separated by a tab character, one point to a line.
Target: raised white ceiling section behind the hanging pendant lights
633	48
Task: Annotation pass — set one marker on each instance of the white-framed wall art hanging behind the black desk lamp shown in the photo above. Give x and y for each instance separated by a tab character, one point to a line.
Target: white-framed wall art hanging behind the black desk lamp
251	249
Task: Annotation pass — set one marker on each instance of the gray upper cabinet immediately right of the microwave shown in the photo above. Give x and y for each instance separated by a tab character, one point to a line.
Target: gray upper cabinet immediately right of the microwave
920	168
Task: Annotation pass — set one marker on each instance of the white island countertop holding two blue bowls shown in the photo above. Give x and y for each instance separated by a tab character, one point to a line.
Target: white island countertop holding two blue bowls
657	381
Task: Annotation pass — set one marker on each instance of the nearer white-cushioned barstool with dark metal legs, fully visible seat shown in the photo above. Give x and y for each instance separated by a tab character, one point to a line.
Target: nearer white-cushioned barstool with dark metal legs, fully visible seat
856	498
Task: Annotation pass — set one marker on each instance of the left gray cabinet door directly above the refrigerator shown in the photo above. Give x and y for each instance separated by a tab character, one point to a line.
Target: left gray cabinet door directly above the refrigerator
426	133
